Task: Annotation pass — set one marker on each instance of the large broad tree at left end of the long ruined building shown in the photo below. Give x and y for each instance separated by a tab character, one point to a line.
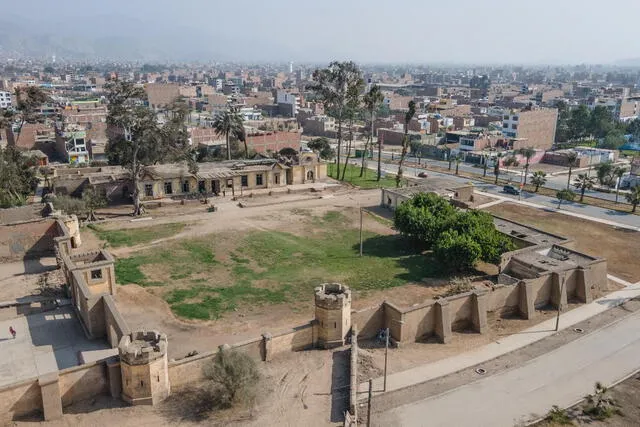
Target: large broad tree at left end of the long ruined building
136	138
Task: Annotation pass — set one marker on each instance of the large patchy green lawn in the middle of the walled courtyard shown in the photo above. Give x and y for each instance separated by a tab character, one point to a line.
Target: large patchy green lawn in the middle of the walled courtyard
267	267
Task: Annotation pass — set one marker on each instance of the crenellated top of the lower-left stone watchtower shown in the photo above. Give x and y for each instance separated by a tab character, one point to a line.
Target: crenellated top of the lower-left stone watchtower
142	347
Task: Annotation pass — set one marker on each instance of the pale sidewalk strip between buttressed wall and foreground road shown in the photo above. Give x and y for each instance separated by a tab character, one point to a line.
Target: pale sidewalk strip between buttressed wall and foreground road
508	344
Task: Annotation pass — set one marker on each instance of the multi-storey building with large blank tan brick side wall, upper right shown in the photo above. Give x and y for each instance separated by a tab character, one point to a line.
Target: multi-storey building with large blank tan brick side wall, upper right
536	125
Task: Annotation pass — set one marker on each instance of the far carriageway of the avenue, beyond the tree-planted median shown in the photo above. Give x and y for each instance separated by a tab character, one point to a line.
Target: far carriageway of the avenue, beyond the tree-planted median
558	182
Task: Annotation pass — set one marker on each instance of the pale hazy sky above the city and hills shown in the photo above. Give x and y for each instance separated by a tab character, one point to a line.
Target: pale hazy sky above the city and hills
488	31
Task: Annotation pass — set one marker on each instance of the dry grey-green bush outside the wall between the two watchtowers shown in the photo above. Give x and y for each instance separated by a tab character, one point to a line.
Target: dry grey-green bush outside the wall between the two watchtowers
233	378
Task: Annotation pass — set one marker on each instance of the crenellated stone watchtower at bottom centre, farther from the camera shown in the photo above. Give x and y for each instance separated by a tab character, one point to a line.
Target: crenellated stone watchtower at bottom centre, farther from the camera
333	314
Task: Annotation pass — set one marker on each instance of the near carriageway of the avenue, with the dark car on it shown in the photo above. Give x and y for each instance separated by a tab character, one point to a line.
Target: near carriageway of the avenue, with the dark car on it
549	202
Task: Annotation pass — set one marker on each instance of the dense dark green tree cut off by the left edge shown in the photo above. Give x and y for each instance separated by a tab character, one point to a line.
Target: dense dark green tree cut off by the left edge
17	177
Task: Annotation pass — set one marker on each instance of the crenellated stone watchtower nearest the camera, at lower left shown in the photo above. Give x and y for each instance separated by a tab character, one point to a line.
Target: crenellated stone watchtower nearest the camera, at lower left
143	363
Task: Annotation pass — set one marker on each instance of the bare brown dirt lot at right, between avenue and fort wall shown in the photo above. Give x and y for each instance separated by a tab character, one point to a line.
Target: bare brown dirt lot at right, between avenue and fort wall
619	246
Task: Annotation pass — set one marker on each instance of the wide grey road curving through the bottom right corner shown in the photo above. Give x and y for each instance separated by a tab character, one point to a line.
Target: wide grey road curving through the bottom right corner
561	377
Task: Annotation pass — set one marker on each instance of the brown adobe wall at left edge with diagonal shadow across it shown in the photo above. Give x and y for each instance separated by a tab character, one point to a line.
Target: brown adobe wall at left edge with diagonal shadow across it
31	239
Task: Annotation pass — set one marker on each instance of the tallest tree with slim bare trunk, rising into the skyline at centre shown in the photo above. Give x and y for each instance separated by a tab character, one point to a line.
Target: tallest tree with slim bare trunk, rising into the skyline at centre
336	86
